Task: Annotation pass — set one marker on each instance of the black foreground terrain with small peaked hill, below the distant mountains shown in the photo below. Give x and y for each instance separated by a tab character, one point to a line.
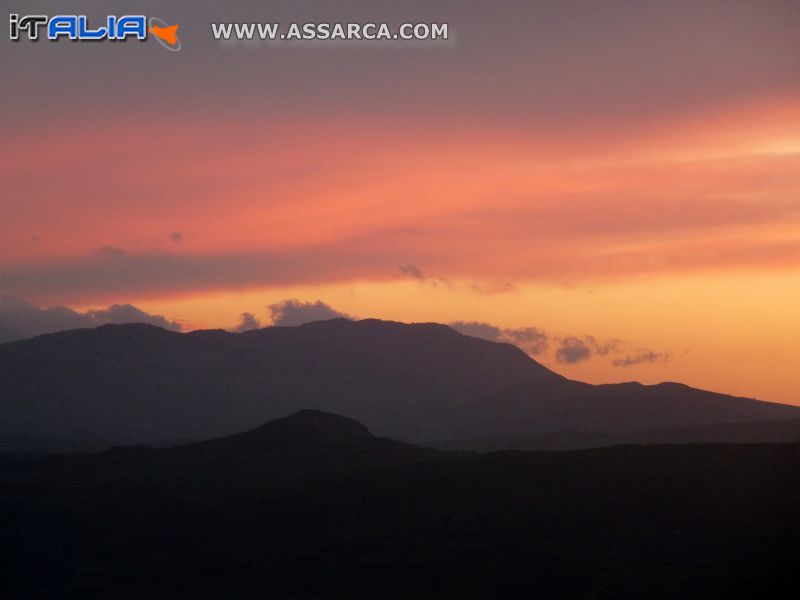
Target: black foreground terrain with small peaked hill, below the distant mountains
315	506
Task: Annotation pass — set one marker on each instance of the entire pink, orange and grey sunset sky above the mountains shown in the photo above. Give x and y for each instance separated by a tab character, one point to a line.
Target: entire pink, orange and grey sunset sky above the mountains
622	176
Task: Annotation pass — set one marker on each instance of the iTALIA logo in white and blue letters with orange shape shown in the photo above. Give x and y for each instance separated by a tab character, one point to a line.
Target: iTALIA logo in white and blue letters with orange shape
78	28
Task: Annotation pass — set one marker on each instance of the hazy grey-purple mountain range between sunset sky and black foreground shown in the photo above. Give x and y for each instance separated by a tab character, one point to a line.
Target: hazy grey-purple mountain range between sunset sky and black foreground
139	383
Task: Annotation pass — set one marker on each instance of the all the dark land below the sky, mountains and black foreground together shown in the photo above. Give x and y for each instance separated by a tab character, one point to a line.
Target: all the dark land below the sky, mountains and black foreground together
104	492
